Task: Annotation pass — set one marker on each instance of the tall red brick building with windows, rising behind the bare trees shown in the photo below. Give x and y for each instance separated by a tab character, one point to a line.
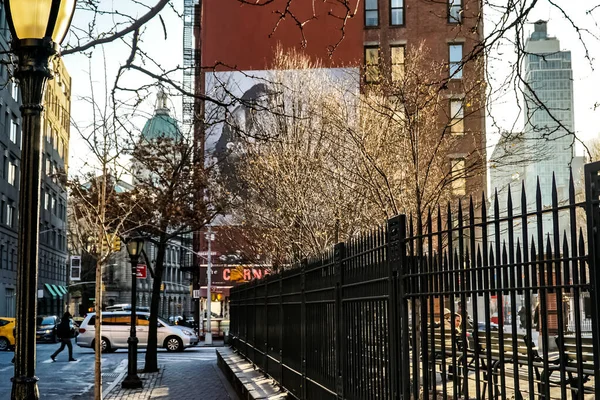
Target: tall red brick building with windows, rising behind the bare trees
242	39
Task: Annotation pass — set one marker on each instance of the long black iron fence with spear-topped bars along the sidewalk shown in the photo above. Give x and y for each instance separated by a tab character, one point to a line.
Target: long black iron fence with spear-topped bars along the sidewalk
475	302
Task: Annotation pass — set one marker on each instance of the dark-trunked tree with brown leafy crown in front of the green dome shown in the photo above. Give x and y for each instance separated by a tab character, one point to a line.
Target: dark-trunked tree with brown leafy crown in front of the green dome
170	198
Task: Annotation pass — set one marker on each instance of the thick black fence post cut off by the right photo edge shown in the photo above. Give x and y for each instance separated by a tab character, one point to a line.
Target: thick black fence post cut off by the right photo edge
592	205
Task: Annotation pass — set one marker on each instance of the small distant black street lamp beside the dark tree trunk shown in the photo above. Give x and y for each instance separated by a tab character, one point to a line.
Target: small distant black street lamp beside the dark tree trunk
132	381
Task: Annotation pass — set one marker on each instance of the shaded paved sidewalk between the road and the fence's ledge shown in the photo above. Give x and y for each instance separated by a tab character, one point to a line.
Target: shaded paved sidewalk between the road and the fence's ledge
184	377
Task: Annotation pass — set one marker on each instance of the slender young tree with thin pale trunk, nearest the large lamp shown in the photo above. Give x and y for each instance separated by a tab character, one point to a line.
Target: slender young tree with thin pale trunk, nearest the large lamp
98	214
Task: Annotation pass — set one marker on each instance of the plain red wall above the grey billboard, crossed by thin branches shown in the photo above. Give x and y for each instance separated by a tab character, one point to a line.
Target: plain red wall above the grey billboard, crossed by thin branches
238	35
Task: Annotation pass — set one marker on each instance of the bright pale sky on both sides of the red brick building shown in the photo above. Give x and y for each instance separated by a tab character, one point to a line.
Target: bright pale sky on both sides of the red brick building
167	51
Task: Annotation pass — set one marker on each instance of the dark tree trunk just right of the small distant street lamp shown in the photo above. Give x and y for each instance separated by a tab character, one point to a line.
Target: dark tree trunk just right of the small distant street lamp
151	351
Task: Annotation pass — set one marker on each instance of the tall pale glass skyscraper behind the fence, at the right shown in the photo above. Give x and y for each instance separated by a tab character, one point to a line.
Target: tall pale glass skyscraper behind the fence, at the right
549	119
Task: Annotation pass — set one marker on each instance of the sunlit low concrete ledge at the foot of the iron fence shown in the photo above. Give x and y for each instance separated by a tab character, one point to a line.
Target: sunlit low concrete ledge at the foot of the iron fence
249	383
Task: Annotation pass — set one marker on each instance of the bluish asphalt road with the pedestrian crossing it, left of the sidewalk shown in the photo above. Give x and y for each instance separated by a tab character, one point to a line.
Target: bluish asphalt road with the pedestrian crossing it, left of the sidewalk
75	380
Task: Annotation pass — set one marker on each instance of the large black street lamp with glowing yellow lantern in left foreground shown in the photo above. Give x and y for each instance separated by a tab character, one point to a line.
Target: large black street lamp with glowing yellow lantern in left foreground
37	28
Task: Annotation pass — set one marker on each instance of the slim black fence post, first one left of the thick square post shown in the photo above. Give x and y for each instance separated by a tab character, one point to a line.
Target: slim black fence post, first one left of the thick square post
339	255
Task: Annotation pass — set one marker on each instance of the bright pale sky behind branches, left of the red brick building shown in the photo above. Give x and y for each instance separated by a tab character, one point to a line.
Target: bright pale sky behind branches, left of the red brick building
98	71
